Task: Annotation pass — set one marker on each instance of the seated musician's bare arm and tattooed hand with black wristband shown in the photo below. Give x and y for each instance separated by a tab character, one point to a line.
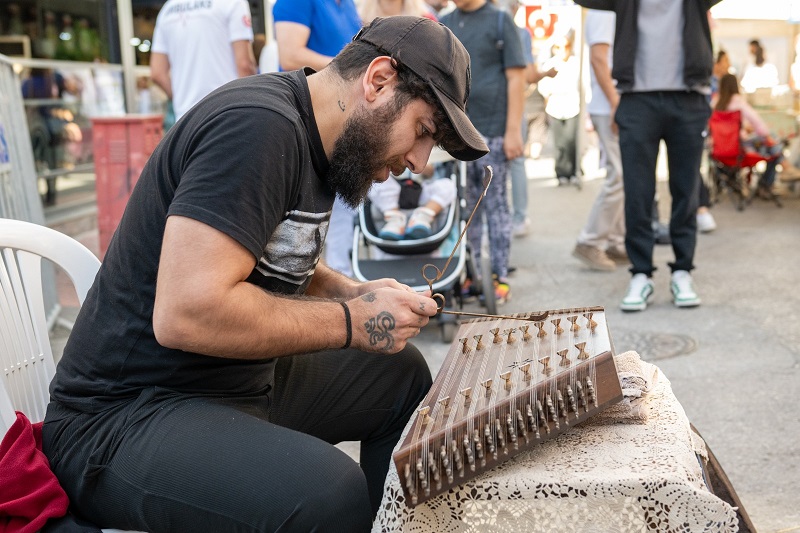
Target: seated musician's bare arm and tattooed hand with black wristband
205	305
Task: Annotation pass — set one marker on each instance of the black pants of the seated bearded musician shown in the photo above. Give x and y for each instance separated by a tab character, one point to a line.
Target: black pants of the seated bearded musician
172	462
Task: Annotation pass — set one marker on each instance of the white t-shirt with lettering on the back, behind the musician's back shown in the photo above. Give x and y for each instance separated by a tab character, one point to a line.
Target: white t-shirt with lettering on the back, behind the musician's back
196	35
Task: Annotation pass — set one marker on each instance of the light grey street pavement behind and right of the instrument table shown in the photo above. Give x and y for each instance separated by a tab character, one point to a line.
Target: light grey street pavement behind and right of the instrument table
734	362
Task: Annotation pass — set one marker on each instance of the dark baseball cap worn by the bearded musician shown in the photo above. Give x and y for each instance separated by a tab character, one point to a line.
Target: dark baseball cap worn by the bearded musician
432	52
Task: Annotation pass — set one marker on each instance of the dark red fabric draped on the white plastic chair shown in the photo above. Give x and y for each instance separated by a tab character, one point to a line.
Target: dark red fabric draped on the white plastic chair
29	491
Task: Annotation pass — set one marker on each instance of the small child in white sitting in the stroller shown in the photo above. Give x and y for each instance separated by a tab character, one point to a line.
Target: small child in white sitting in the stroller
423	193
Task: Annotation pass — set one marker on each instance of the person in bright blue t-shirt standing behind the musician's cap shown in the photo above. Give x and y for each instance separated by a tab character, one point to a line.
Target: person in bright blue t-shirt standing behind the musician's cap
309	33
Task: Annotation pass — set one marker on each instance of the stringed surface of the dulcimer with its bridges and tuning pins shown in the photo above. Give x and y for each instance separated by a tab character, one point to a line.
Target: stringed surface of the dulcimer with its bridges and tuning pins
473	403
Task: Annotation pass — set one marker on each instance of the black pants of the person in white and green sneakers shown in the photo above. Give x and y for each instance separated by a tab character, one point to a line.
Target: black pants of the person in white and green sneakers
644	119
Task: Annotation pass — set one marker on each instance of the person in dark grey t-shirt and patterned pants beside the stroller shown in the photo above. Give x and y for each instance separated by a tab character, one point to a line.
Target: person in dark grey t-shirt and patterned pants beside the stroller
495	107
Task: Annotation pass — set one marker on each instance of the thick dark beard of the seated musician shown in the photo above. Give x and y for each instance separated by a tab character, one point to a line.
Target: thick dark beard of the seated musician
359	154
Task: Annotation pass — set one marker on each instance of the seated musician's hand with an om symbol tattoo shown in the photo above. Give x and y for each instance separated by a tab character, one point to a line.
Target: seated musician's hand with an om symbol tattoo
385	318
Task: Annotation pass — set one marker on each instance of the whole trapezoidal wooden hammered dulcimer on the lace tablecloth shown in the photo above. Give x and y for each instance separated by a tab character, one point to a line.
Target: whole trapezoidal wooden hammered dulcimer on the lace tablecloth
489	421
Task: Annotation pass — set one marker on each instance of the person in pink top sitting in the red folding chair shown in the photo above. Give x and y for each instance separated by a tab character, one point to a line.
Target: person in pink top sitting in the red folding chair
757	138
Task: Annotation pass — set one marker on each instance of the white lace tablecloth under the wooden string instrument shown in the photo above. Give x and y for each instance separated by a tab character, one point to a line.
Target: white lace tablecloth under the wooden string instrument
609	477
